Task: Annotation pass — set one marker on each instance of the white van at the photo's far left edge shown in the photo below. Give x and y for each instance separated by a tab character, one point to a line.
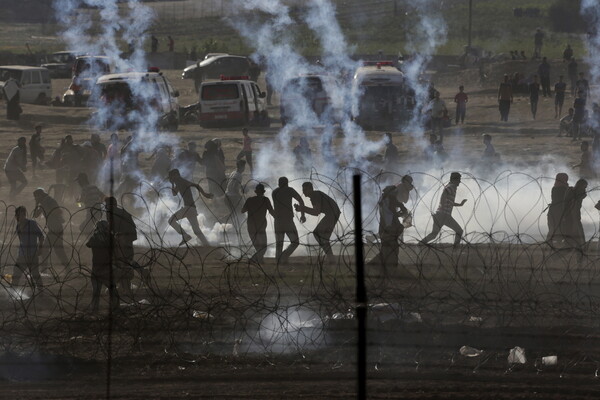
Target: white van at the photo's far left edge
35	86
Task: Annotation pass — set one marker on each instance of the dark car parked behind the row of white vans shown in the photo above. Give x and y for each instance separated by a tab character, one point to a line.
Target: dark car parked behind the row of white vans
215	67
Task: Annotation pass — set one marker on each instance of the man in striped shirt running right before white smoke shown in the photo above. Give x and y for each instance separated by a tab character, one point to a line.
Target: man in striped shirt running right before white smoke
443	215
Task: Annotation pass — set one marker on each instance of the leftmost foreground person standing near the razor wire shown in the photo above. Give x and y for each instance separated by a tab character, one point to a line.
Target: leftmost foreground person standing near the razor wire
31	240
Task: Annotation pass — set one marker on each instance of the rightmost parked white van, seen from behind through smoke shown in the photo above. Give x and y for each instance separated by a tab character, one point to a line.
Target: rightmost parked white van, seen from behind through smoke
386	99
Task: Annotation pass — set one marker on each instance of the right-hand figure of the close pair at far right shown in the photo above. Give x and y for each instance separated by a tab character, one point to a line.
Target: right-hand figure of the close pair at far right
571	222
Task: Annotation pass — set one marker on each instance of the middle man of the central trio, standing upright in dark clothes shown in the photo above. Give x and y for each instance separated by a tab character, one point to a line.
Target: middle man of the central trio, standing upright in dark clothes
284	219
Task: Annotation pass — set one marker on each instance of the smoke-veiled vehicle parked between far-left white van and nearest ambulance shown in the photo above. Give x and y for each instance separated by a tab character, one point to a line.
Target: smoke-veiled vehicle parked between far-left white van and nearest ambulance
86	71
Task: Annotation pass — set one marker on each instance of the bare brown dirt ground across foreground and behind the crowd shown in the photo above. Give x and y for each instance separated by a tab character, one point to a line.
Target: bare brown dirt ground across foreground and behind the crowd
161	353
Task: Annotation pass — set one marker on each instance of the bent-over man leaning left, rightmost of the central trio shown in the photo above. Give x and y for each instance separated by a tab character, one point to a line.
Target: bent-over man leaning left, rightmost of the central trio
321	204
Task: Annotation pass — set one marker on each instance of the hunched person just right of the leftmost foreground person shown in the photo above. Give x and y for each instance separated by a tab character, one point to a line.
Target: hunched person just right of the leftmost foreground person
48	207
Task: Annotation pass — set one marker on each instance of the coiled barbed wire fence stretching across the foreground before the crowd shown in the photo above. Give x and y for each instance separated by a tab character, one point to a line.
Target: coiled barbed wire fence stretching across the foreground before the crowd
215	301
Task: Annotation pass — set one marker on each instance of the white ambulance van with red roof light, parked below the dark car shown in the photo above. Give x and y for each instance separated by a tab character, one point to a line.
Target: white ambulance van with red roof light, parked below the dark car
232	101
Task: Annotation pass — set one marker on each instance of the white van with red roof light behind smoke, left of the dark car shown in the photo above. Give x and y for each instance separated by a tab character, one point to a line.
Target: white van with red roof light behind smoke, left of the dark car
131	99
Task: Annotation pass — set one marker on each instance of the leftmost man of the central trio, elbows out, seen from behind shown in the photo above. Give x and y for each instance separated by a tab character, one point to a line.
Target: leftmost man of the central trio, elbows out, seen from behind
257	208
